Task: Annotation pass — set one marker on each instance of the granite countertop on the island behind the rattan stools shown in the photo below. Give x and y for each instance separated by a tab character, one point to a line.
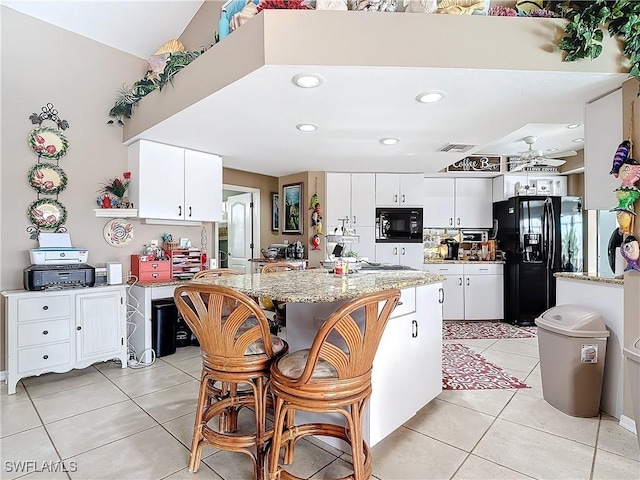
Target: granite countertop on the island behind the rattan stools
315	286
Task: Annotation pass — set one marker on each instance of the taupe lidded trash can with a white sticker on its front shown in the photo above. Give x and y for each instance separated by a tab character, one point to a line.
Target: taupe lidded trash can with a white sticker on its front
572	341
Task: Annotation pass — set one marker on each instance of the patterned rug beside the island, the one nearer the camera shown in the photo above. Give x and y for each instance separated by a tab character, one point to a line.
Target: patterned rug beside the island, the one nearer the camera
463	369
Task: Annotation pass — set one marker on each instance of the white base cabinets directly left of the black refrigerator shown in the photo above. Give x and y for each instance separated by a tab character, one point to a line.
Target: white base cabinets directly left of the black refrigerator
471	291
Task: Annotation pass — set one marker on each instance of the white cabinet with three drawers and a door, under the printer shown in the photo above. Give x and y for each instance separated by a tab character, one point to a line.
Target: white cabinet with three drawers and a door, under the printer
61	330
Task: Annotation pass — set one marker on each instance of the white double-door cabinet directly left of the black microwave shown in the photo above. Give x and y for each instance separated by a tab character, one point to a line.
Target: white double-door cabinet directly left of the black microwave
352	196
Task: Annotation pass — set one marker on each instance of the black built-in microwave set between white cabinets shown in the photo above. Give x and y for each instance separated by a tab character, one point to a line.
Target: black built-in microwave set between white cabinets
402	225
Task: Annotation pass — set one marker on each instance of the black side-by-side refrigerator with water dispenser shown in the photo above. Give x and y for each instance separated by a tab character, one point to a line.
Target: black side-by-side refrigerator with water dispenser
540	236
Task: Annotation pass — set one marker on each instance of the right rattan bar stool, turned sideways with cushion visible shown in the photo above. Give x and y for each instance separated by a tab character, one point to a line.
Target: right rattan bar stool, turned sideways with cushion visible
333	376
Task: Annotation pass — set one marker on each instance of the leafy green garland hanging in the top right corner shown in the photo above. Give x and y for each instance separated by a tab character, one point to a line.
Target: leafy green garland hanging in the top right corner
583	35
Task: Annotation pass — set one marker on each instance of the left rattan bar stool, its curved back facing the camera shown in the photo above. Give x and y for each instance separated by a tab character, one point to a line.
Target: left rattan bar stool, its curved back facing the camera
237	349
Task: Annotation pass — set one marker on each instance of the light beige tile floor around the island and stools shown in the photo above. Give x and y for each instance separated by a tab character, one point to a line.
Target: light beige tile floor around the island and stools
113	423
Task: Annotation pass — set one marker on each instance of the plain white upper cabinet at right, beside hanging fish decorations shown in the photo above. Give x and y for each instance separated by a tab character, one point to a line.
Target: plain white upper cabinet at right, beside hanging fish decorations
603	132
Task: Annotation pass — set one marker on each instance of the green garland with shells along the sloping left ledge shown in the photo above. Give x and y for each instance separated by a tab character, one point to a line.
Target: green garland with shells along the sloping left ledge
128	97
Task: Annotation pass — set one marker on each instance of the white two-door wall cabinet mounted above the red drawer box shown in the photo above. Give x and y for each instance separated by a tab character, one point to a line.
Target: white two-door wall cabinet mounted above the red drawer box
172	183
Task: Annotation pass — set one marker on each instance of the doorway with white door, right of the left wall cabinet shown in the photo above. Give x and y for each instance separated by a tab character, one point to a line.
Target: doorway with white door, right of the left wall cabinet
238	233
